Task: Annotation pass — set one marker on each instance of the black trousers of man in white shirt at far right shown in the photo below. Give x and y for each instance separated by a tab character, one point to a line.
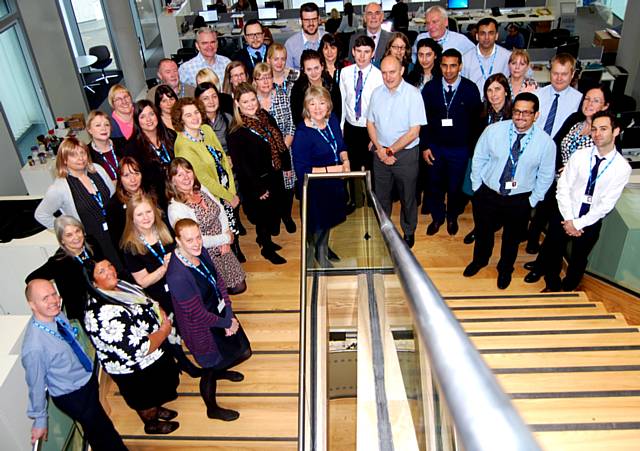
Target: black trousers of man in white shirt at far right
553	250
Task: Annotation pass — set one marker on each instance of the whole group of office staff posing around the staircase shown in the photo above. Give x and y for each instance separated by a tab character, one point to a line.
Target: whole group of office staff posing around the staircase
150	225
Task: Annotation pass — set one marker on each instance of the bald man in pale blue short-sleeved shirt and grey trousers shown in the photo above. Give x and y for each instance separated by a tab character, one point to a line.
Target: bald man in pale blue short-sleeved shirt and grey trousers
395	115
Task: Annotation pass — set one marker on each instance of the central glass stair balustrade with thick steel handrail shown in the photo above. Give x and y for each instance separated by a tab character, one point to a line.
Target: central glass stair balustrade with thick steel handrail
384	363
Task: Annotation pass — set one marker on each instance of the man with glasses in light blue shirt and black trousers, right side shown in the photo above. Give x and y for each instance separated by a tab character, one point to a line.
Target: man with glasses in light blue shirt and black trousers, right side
512	168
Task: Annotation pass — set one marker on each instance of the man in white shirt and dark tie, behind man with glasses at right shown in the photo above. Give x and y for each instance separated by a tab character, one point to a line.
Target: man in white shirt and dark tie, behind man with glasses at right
558	100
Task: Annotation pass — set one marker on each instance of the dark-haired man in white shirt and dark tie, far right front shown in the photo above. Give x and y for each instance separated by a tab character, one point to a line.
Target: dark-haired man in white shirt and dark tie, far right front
588	190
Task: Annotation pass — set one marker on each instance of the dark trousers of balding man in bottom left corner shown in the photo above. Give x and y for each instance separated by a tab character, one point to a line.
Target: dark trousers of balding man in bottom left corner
83	406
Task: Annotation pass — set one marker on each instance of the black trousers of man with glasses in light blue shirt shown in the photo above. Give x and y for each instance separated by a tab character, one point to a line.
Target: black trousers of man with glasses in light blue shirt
491	209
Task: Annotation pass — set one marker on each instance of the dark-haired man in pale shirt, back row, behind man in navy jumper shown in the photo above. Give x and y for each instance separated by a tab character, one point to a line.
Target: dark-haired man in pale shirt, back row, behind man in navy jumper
487	58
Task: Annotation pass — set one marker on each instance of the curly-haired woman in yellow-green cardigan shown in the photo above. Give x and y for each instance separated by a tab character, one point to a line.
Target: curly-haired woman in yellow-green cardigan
199	144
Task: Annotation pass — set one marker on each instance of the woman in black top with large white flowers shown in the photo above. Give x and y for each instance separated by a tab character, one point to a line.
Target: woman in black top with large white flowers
127	329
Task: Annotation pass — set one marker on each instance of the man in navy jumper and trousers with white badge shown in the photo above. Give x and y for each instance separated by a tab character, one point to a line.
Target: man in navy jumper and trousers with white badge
453	105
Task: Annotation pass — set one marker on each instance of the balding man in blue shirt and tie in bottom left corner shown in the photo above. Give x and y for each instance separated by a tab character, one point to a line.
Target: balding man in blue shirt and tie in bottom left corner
54	363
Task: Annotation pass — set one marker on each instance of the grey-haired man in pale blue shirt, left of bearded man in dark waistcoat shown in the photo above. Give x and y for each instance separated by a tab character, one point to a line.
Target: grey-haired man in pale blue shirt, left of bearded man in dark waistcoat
207	45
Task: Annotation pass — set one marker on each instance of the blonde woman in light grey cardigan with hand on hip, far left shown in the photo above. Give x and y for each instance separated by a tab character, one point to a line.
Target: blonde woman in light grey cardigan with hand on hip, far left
82	190
